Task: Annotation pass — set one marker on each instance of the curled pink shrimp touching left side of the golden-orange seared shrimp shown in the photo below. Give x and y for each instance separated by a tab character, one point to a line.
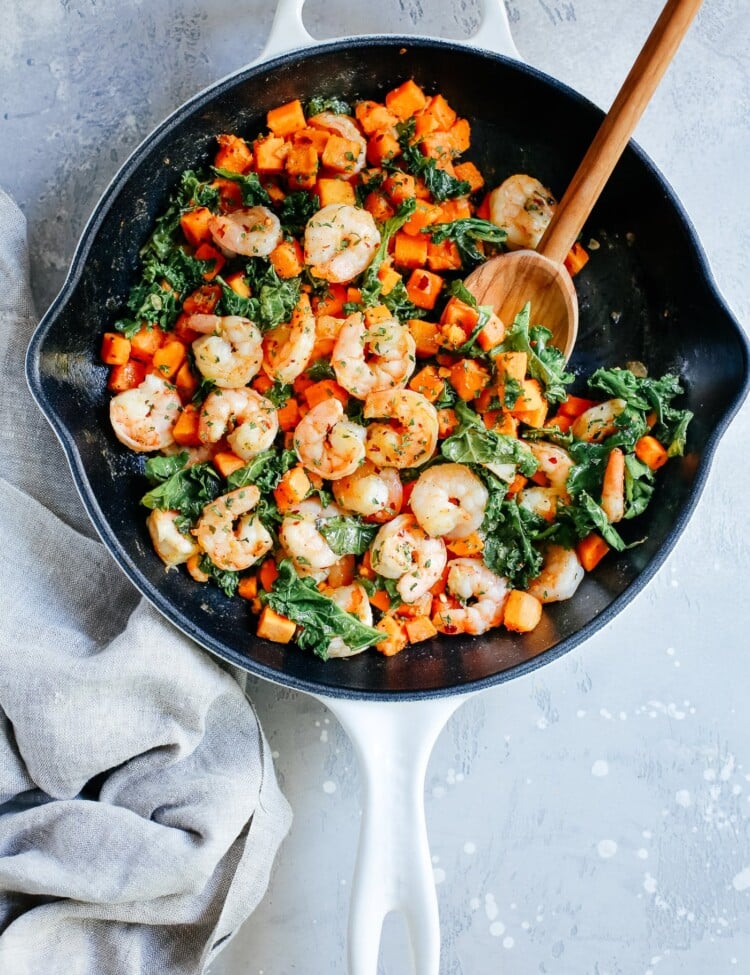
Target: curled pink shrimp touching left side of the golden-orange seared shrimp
327	443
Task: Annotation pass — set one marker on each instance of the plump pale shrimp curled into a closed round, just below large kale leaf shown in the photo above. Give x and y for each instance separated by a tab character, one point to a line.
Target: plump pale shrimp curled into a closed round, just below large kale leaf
449	501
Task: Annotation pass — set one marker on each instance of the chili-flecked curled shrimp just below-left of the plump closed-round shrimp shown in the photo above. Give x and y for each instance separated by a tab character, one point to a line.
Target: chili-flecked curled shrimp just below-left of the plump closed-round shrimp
401	550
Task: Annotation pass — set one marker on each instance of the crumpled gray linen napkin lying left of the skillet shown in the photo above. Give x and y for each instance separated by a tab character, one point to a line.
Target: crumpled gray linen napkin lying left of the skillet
139	810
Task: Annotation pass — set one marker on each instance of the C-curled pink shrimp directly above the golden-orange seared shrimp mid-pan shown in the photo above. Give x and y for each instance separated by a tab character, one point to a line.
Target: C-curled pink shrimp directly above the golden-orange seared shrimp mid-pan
391	358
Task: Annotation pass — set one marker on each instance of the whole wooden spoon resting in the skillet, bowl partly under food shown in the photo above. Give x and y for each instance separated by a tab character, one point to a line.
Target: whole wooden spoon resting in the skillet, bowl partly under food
510	280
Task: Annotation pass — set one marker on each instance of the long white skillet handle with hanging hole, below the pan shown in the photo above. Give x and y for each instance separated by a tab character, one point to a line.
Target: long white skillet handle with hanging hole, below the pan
393	742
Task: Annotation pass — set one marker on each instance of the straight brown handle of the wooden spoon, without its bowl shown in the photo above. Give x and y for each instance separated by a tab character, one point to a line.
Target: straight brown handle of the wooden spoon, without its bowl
615	131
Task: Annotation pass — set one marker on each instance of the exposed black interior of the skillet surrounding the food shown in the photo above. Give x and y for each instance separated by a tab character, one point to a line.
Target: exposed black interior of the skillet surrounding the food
646	294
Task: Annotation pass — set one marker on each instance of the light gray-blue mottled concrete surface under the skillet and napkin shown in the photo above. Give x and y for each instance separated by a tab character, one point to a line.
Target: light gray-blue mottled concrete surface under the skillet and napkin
591	819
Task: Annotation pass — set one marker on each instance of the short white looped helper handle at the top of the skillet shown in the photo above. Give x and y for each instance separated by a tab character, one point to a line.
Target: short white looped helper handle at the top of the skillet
288	32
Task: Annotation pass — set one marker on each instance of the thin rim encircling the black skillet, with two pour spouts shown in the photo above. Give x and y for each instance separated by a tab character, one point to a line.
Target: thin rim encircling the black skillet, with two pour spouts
128	565
